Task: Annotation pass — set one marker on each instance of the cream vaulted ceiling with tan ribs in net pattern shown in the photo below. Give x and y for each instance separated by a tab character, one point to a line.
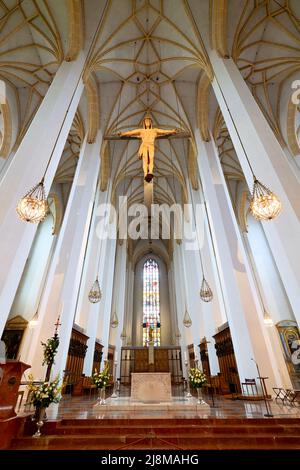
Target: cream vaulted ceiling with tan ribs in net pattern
150	57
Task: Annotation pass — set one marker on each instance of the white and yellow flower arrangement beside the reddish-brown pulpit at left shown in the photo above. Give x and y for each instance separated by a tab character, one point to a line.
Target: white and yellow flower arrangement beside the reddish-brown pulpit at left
45	394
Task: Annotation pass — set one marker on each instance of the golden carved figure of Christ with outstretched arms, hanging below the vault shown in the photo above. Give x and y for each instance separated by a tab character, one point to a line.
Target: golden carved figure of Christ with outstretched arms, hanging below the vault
148	134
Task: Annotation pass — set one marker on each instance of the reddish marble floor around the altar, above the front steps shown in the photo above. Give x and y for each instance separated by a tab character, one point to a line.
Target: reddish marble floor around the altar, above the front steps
86	408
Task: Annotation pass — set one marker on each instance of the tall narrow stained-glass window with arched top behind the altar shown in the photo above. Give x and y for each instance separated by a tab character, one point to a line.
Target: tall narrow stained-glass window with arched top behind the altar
151	306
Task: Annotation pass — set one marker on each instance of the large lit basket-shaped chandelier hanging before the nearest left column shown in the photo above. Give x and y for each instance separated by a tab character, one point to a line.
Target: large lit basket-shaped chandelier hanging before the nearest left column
33	207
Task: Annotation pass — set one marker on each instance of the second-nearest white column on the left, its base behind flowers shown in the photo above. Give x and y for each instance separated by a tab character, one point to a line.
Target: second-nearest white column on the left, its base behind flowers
62	287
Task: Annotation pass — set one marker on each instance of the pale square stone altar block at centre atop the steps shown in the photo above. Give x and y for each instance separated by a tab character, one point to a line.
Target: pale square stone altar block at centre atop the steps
151	387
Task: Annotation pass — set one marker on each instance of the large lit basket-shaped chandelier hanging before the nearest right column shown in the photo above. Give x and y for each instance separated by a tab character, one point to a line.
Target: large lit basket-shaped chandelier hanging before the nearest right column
264	204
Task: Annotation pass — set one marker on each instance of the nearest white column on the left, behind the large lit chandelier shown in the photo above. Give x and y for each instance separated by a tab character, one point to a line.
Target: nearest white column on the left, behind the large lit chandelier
46	136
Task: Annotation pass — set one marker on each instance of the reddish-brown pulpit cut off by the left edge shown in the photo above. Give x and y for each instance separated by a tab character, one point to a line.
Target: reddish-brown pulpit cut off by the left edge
10	378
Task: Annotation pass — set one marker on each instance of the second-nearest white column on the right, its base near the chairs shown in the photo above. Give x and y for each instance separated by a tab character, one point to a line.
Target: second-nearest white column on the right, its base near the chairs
249	336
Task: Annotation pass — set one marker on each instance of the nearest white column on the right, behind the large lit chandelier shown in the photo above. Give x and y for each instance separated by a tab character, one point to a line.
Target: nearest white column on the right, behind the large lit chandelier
246	124
